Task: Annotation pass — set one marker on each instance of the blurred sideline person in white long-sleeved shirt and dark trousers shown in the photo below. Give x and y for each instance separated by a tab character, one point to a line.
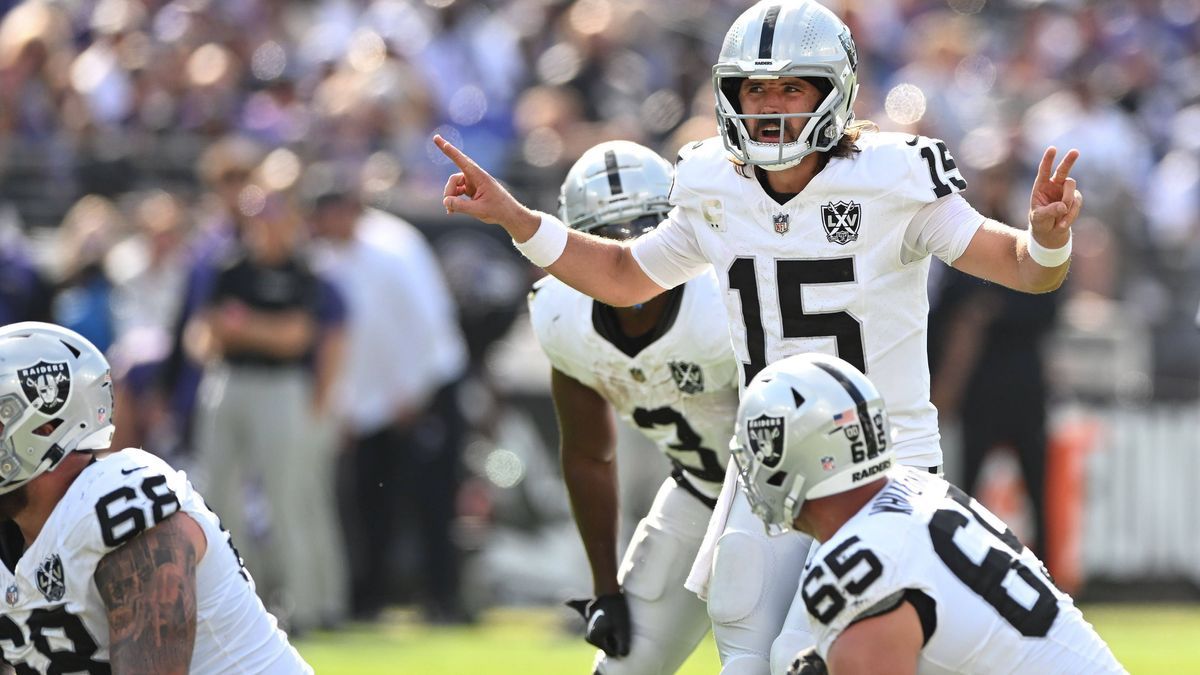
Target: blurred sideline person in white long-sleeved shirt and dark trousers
397	398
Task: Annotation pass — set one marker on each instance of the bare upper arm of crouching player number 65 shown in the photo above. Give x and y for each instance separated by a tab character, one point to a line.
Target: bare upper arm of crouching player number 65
890	643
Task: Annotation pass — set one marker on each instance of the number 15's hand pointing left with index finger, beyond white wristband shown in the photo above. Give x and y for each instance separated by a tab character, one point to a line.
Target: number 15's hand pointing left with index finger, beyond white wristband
475	193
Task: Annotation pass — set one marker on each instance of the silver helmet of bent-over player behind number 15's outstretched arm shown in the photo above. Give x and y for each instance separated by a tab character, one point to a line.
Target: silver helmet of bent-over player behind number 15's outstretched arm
617	190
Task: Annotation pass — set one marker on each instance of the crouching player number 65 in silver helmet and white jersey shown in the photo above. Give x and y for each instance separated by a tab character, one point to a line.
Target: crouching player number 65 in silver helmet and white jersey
910	574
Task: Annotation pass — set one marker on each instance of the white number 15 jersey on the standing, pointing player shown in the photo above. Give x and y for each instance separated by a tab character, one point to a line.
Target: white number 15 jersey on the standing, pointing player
836	270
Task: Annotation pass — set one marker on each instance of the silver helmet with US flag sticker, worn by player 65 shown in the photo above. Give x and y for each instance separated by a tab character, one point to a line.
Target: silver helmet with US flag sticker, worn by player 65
809	427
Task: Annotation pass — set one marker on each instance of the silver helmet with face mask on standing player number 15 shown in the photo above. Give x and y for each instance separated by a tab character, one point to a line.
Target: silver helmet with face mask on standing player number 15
779	39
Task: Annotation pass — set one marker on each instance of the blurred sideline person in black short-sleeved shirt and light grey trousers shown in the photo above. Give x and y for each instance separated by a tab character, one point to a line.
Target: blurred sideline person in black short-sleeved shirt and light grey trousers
254	333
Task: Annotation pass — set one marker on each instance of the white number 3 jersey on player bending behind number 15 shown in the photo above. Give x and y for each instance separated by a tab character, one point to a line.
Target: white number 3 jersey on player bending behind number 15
681	391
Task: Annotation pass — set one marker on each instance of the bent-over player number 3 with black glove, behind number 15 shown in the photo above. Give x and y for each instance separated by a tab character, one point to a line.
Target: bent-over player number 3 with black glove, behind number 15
668	368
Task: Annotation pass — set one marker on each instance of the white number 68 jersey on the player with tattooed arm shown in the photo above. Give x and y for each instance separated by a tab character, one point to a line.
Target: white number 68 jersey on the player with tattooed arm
53	619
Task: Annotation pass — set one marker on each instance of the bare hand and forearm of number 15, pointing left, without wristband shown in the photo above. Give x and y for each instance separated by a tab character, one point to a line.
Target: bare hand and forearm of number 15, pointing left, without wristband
602	268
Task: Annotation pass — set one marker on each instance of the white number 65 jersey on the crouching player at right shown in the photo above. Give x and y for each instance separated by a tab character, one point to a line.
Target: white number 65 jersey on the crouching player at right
987	604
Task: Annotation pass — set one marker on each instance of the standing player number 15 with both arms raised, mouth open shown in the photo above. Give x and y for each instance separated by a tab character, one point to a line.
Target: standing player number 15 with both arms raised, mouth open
820	234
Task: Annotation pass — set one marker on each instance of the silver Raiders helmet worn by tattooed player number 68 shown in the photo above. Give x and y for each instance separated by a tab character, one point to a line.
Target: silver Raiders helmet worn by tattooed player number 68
56	397
